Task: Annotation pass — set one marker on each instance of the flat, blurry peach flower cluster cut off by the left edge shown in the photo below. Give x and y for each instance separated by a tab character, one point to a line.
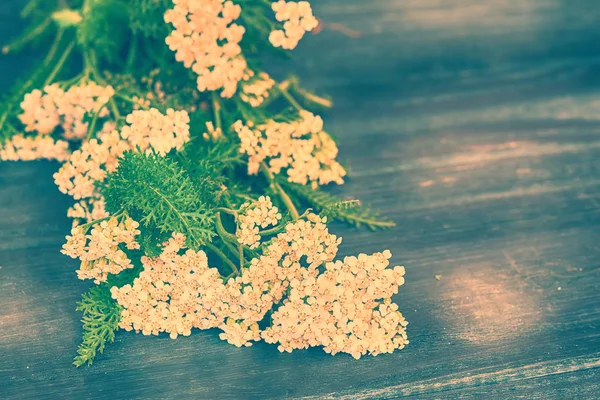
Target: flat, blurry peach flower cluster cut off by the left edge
21	148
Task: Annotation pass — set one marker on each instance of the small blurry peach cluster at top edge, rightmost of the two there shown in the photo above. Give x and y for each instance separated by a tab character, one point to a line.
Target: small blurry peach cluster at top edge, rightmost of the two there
297	19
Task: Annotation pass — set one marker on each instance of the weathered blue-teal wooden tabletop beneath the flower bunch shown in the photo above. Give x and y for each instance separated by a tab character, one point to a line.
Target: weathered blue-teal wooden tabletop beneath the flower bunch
476	126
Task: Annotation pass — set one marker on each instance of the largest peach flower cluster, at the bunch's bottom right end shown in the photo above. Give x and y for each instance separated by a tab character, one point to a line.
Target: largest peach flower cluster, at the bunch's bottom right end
347	308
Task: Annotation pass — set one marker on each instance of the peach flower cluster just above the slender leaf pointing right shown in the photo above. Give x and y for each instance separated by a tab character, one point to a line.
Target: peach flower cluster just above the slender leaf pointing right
301	147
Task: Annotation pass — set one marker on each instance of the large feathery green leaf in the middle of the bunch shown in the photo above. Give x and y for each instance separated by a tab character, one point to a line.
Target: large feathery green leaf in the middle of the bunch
161	195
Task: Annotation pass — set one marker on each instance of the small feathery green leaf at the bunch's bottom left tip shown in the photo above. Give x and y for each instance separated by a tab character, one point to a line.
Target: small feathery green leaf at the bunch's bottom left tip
101	316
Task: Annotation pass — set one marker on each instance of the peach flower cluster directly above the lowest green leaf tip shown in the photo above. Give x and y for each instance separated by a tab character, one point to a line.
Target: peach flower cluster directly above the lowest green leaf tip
99	250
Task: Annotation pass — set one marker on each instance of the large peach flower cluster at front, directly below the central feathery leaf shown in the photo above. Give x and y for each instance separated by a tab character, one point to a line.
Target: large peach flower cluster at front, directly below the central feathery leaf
174	293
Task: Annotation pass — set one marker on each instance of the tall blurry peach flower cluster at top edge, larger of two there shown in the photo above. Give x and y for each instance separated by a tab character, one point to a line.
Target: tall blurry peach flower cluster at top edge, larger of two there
206	39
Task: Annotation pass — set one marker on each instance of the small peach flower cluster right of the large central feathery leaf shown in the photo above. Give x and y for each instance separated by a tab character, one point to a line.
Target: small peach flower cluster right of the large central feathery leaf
257	215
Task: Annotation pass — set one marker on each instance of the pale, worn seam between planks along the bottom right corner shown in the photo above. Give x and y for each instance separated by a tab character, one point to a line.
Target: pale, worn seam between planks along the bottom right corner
460	381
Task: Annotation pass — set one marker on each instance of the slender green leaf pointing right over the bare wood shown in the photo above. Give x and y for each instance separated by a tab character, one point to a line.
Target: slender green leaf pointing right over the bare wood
350	212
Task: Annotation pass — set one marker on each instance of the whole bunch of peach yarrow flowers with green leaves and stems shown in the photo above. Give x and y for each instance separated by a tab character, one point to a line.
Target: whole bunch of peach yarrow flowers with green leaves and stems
197	178
